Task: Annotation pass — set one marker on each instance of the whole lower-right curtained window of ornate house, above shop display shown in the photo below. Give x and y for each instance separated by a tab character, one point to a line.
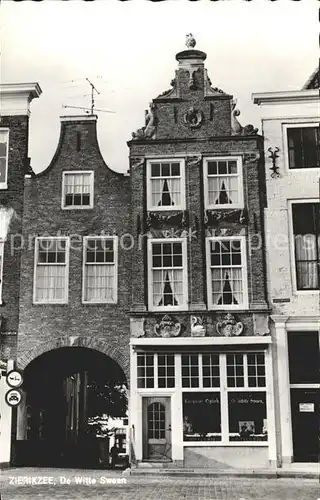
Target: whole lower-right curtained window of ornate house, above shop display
227	272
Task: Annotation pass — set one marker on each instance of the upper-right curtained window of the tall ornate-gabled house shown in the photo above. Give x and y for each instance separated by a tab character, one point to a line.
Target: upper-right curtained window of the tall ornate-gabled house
223	183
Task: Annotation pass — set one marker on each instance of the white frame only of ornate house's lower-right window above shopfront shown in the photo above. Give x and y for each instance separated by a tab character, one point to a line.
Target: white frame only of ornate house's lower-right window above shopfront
244	266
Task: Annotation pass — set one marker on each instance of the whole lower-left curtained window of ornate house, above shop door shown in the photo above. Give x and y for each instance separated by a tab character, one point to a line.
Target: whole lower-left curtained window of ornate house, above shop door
167	274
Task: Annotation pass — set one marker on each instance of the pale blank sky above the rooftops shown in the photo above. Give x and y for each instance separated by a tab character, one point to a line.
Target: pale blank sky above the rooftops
127	50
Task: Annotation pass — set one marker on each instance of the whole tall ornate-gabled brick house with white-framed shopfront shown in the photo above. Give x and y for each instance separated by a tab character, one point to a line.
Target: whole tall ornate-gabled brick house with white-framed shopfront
201	362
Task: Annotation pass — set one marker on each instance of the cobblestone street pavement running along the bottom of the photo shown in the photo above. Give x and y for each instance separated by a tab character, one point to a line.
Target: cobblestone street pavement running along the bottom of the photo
147	488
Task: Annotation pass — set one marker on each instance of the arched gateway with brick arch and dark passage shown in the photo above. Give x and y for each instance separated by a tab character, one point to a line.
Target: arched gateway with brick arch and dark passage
69	384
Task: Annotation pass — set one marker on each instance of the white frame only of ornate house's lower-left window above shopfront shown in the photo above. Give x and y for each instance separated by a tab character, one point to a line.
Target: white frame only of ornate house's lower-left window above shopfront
183	306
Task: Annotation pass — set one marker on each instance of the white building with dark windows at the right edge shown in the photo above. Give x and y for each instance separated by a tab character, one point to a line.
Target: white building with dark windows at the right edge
290	125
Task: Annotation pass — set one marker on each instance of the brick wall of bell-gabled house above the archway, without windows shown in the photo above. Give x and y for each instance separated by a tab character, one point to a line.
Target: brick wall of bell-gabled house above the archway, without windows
44	216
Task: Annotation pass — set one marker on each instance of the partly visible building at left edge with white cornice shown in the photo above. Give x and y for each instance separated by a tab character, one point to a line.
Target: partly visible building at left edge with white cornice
15	102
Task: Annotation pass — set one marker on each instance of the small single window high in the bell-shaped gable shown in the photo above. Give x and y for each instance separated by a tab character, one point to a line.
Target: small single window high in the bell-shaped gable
77	189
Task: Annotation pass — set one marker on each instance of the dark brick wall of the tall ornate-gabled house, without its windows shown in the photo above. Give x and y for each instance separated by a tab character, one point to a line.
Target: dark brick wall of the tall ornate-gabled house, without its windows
173	136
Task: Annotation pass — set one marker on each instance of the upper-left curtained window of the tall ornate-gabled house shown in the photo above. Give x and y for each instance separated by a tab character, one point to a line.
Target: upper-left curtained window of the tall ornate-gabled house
166	185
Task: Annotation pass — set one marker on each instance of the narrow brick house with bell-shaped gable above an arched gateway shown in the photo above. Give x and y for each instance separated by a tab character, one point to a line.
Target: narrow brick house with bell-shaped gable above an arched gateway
75	294
